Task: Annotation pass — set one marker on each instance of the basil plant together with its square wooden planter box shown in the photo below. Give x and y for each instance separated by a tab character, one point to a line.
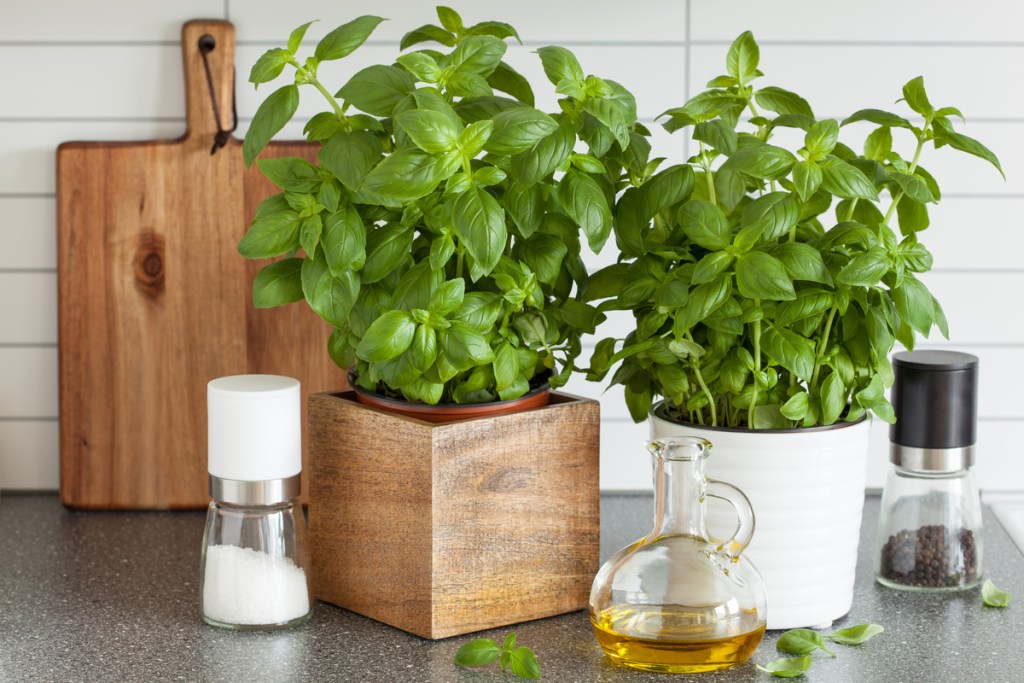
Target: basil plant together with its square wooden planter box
440	233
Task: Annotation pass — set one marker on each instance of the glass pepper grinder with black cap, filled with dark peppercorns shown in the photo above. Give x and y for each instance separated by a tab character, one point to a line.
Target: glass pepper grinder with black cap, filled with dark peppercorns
930	530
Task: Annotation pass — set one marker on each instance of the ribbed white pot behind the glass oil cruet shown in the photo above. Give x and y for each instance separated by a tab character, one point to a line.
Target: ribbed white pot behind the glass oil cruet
807	490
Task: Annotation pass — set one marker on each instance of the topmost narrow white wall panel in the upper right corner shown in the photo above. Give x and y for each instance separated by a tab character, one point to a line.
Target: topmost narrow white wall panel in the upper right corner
945	21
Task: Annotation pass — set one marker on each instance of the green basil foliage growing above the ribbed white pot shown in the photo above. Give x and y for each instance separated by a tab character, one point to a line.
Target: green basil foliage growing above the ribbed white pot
770	284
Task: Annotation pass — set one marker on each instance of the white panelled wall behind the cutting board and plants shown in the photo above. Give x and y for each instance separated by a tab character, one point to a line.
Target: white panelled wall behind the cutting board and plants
111	70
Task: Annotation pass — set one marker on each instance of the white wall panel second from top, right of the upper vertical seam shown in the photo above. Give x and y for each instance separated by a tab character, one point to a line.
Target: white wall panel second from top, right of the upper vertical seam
874	76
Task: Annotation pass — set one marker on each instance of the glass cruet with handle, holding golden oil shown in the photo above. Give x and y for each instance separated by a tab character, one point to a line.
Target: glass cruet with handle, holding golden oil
678	602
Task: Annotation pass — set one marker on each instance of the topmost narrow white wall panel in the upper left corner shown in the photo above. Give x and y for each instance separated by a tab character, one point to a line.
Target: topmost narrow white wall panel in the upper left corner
114	21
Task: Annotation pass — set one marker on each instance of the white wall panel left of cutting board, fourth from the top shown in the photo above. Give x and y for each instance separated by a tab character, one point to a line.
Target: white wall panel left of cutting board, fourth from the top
28	233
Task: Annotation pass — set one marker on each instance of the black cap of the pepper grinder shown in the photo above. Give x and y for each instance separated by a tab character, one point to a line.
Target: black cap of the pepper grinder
935	397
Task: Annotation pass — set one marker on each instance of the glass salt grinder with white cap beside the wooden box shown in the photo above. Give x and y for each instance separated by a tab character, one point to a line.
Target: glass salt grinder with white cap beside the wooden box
254	572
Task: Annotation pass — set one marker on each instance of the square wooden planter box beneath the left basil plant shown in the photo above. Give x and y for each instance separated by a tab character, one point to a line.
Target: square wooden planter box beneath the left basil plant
442	530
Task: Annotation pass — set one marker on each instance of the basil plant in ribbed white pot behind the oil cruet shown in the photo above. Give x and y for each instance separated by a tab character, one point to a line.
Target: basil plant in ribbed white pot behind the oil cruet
770	285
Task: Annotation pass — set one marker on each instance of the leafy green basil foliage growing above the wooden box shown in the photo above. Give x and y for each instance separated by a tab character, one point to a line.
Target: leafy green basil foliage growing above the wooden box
440	232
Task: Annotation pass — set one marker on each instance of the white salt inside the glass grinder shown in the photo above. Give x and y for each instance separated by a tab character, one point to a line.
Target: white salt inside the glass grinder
246	587
